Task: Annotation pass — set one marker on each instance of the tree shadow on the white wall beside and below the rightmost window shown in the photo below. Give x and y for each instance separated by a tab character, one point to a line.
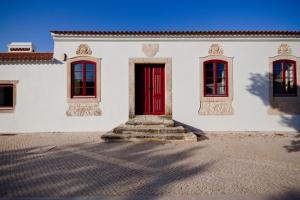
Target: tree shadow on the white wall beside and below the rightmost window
260	87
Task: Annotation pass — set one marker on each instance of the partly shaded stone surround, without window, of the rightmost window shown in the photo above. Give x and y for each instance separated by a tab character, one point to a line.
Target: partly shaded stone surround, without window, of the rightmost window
284	105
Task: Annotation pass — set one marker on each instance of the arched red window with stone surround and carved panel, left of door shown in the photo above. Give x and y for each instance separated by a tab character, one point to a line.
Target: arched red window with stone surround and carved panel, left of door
83	86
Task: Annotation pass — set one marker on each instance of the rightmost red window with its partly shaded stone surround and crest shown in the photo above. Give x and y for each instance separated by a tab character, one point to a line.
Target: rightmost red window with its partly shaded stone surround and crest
284	90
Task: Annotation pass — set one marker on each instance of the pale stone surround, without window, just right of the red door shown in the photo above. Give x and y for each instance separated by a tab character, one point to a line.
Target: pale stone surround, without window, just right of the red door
216	105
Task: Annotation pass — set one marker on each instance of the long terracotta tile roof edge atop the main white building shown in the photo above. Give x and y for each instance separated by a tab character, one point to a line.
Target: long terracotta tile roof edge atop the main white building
153	33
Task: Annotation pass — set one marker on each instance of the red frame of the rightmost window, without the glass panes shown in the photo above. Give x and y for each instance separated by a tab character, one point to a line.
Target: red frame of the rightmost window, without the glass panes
283	66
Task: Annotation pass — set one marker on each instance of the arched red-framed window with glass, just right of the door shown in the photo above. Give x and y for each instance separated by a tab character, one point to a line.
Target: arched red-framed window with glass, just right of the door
215	78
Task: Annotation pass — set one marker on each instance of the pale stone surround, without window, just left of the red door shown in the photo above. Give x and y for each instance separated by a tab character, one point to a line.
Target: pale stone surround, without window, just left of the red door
84	106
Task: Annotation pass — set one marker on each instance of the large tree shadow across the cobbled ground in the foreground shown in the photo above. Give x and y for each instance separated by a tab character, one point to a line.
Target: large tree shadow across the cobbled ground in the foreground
103	169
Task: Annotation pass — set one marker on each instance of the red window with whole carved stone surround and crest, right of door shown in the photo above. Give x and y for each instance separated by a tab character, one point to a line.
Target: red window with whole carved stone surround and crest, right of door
216	95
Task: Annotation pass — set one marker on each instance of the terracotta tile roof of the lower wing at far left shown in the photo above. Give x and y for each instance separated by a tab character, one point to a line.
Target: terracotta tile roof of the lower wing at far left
32	56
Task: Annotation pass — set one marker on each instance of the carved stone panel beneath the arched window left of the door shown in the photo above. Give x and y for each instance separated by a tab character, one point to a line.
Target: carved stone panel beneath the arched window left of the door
83	109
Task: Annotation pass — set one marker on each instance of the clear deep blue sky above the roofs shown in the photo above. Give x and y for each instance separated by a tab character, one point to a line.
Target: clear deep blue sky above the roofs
32	20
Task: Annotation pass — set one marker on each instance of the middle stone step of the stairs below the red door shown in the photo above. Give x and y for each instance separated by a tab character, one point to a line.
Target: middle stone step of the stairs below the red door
149	129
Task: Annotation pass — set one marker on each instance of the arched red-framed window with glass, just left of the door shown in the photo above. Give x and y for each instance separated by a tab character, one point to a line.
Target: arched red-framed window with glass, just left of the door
83	81
